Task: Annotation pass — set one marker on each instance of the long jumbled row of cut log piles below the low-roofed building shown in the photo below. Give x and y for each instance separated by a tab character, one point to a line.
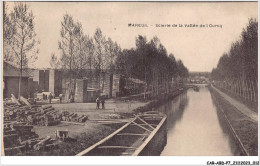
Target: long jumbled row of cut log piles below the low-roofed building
42	116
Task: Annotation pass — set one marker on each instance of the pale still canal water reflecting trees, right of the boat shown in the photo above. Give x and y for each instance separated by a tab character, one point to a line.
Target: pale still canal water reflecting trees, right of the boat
195	127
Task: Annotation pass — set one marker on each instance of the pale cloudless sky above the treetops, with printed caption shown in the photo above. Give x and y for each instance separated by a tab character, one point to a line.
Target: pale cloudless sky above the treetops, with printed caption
198	47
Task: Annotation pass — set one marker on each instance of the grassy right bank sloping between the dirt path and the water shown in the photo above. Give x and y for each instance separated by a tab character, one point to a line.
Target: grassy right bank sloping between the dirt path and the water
243	128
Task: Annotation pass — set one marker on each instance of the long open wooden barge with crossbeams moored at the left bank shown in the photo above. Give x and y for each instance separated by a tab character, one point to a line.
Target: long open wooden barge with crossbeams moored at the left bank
143	135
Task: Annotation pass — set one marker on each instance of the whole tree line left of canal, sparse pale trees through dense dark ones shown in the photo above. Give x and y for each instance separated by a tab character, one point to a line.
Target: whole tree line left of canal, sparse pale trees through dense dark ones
149	61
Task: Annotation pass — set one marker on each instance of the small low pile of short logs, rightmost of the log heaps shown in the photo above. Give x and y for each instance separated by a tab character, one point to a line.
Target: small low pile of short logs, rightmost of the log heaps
73	117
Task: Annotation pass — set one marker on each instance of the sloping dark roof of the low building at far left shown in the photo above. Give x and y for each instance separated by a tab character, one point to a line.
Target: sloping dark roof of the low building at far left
12	71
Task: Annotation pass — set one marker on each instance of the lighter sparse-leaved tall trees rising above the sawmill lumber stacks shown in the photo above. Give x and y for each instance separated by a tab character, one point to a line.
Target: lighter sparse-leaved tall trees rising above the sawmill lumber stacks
82	55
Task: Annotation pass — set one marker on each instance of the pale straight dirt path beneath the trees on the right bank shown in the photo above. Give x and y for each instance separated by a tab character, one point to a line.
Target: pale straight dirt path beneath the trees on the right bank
239	106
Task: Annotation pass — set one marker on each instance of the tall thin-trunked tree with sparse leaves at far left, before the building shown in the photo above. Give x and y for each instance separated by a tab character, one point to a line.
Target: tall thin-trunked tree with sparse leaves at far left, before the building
20	43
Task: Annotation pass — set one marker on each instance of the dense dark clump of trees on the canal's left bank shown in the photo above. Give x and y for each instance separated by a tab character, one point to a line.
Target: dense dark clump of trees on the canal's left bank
150	62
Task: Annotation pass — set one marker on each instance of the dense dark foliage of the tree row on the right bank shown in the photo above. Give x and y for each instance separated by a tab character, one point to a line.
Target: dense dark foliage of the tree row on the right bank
241	60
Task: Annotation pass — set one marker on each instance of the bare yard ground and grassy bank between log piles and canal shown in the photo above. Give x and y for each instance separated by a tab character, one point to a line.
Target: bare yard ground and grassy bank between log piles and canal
92	131
